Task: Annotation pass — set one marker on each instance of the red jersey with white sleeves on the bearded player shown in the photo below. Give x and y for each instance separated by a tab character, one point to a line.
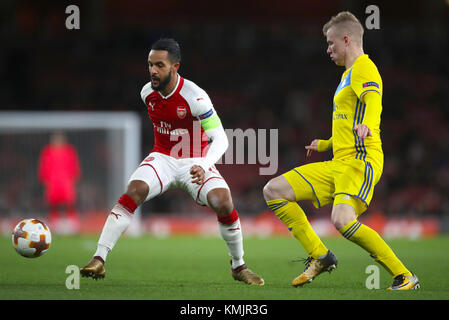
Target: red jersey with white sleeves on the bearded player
175	117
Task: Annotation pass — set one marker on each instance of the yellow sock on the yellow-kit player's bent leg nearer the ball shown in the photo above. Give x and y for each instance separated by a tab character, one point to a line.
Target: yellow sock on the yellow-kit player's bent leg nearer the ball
295	219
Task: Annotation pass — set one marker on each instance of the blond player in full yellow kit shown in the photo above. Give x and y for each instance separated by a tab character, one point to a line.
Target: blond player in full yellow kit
348	180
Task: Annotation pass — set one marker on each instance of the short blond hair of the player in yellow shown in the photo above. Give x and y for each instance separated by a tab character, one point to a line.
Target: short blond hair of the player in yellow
347	23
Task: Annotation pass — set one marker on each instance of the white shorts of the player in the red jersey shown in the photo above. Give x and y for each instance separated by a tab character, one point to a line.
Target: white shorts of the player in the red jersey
162	172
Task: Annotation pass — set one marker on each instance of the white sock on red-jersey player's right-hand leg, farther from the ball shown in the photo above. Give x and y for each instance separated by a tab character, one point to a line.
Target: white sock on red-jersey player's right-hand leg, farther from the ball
232	235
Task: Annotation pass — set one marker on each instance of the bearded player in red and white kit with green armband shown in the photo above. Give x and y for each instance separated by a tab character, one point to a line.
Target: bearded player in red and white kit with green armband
184	119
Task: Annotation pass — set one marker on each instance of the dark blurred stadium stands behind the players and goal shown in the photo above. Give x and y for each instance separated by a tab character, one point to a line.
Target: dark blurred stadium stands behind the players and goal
264	65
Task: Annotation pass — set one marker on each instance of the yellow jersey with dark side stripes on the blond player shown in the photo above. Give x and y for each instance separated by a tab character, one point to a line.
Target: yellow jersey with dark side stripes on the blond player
350	109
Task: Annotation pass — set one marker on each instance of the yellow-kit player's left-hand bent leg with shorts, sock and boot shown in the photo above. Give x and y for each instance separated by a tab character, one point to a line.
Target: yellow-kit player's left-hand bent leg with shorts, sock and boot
282	194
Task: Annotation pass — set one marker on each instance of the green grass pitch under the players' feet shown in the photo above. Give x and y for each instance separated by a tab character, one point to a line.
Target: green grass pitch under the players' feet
180	268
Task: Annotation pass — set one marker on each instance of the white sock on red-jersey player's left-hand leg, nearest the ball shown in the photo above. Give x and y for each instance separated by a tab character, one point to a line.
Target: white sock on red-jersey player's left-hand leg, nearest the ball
116	223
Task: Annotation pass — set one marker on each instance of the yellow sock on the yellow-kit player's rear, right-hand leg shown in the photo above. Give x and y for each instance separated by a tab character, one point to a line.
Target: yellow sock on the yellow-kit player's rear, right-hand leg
371	241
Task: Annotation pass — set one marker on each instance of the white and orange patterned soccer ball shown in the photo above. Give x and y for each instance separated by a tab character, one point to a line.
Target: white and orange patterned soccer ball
31	238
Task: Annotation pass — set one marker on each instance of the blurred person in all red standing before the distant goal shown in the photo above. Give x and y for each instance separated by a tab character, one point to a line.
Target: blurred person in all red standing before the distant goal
59	170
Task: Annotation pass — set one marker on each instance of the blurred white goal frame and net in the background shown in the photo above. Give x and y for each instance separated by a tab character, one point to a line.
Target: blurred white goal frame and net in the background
108	145
